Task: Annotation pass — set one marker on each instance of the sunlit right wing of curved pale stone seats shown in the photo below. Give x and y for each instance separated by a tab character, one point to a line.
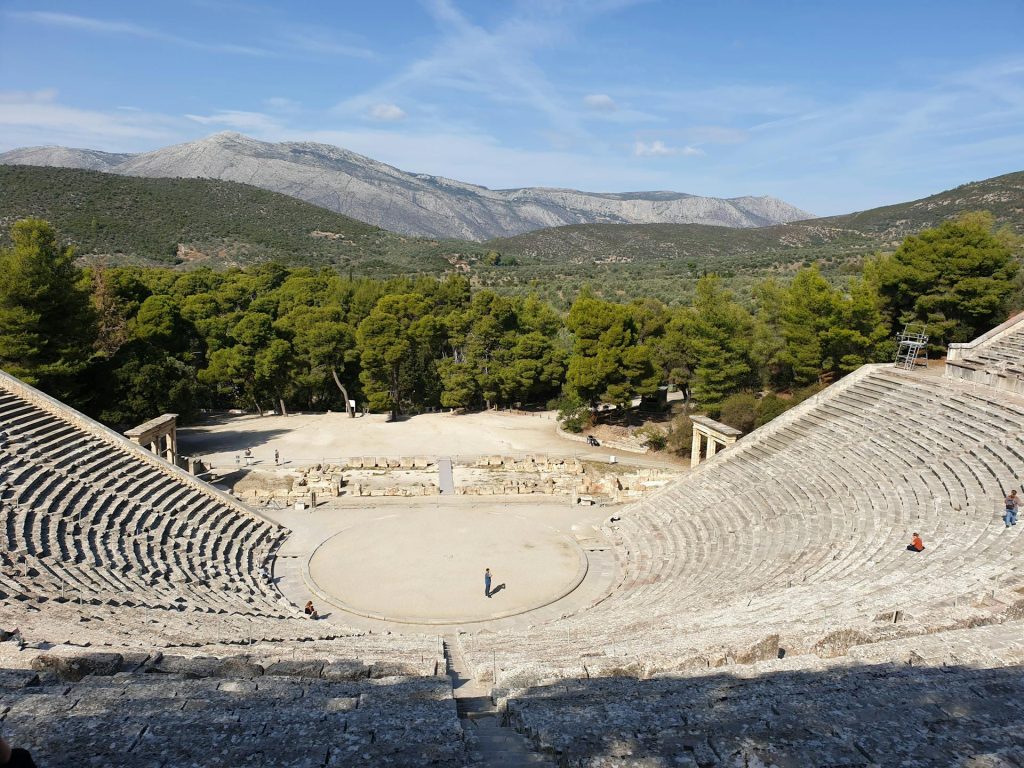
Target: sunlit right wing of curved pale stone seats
800	531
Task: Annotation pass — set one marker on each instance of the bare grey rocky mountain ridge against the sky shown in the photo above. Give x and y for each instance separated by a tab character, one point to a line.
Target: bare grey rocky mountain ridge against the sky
408	203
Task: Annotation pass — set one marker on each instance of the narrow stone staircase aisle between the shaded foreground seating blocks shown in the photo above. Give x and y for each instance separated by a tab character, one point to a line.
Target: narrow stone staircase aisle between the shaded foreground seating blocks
493	745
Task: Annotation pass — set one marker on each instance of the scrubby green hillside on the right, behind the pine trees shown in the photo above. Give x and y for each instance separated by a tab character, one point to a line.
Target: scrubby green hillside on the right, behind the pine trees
664	261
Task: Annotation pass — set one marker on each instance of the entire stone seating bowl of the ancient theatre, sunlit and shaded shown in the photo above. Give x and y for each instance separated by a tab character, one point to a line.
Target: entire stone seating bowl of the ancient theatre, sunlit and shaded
761	611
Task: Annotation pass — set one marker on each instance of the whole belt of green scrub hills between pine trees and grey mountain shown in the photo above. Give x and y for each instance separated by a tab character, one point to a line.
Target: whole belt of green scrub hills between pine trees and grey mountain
187	223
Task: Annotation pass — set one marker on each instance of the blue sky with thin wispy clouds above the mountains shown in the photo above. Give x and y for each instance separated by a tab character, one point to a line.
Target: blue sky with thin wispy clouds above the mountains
833	107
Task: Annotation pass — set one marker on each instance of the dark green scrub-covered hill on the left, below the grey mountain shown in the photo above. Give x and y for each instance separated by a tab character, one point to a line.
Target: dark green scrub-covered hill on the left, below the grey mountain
168	222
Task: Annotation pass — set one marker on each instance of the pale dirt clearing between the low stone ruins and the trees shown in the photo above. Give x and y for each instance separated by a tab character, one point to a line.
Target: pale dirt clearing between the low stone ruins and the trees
306	439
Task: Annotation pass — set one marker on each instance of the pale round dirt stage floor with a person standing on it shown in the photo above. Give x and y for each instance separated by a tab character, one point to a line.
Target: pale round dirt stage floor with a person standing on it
423	561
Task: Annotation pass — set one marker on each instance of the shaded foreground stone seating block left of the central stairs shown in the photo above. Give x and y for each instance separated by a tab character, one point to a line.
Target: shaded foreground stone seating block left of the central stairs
149	709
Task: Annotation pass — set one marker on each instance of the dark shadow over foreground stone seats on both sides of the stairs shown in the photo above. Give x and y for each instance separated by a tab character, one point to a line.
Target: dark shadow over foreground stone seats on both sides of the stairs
877	715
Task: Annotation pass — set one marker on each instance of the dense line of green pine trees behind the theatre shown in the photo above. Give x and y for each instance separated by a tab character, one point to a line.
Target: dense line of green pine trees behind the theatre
127	344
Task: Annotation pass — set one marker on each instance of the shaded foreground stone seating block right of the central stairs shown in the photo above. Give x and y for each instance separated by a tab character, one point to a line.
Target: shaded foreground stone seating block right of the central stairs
904	710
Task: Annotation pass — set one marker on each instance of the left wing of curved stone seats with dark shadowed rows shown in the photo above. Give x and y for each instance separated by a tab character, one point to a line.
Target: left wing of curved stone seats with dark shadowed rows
87	515
